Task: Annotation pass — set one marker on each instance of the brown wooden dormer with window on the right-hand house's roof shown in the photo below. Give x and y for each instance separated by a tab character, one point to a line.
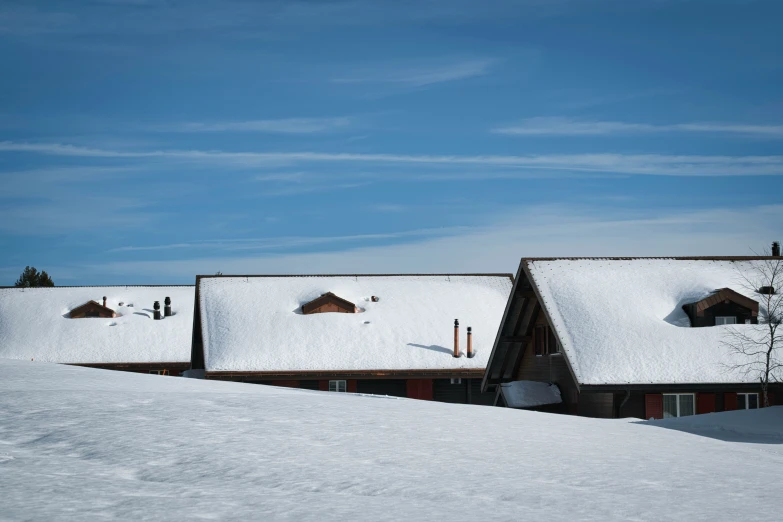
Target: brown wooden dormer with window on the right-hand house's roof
723	306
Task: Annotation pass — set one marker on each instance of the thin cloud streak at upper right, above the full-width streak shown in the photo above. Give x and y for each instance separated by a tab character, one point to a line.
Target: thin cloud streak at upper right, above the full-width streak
558	126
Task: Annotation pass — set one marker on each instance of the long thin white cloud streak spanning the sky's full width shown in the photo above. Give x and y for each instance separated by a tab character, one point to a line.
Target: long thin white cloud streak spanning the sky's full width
629	164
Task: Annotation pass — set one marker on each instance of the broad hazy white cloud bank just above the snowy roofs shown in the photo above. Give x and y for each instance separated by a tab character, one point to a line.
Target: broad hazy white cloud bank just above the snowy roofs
548	231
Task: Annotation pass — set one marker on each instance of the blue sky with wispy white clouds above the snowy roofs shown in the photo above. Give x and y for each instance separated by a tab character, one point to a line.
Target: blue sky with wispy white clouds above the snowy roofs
148	141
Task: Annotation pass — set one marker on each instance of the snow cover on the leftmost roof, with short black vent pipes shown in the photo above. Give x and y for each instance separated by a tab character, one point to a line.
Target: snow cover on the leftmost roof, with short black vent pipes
35	324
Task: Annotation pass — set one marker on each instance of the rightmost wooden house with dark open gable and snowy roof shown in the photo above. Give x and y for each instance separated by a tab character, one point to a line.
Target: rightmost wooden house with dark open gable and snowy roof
631	337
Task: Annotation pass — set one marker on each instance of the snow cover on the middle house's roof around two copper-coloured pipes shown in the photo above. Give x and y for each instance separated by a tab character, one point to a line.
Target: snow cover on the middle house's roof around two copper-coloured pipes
255	324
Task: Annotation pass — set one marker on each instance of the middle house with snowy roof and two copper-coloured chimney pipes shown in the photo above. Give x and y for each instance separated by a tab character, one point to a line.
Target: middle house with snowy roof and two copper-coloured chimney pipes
377	334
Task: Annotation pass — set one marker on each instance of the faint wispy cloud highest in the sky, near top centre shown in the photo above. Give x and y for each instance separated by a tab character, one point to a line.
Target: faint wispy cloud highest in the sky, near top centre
419	76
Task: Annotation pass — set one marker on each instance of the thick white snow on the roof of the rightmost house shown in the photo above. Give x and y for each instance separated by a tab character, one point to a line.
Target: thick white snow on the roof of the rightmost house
622	322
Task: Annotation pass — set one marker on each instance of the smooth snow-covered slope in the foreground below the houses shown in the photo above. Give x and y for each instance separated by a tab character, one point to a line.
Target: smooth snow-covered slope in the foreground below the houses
85	444
